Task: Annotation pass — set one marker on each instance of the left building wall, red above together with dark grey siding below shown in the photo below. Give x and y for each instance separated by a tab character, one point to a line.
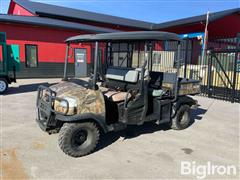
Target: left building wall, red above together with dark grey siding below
50	45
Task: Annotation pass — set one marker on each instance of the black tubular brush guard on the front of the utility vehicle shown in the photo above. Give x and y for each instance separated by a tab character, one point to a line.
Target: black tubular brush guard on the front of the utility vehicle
46	114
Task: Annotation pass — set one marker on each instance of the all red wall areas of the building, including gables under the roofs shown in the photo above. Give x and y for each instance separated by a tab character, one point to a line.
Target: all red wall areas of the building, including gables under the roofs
51	46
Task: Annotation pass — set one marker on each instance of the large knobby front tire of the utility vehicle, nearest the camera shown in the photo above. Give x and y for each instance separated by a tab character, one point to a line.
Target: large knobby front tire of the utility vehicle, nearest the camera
78	139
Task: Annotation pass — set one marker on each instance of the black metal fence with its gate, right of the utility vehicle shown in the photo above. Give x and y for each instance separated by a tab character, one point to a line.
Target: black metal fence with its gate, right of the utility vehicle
218	71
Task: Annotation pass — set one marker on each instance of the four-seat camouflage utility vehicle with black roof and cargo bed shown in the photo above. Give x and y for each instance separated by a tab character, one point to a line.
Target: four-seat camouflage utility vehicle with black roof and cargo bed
129	88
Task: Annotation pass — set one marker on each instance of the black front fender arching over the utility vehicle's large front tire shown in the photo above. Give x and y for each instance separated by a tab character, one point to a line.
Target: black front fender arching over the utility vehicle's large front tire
83	118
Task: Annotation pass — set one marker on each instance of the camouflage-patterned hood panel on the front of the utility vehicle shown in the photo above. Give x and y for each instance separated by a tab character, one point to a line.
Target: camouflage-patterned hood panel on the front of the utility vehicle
88	100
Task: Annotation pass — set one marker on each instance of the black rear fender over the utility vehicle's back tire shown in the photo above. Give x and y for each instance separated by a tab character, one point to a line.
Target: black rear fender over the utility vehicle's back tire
182	100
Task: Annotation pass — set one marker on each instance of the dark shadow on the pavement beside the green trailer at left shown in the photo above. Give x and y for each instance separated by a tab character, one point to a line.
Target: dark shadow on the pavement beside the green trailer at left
26	88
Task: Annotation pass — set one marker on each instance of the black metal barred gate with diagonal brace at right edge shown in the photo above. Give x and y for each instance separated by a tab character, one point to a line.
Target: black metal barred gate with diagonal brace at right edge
223	75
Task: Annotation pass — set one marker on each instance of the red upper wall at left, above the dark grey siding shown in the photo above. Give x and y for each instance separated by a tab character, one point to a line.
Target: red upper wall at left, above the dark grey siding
50	42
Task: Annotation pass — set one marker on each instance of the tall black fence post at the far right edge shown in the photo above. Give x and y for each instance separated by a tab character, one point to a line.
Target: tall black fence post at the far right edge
235	69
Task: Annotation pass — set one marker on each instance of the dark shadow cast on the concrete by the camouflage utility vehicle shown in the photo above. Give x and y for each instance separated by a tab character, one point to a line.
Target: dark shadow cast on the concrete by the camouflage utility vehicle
147	128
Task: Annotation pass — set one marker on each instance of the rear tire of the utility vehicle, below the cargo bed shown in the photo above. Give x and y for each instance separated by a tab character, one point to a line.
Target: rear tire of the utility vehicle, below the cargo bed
182	119
